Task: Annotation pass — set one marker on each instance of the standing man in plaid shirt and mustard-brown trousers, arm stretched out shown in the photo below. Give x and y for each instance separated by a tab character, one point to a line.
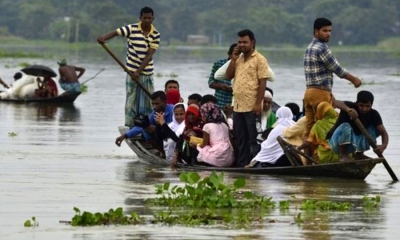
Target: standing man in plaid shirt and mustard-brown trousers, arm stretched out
319	66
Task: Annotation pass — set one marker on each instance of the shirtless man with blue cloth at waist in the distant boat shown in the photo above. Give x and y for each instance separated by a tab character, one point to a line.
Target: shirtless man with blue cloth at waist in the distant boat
68	77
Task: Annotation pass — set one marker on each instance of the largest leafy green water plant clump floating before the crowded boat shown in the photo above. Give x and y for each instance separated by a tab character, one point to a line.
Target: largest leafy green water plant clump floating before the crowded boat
210	192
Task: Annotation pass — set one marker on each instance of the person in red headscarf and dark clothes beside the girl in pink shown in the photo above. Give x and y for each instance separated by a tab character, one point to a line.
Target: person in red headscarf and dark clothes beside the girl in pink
193	128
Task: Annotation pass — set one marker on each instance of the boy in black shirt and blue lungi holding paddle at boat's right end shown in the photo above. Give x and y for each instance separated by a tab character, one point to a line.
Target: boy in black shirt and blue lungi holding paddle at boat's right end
345	138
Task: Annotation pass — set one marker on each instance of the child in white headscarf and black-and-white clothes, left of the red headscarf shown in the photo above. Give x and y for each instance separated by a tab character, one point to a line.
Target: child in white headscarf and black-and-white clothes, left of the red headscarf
173	130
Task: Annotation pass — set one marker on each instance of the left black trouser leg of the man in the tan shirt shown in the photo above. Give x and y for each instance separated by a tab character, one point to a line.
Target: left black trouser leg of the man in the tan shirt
241	136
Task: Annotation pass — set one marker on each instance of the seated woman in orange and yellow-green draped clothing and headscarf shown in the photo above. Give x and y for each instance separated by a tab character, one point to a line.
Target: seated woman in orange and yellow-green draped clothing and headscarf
326	117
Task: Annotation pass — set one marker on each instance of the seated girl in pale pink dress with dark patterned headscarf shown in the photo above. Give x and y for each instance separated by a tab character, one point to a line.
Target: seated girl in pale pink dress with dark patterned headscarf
216	149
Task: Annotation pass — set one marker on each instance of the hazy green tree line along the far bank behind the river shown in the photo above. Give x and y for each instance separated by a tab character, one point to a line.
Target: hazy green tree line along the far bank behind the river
273	21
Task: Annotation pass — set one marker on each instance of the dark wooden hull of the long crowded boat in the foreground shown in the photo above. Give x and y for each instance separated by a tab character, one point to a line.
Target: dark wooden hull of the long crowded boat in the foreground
357	169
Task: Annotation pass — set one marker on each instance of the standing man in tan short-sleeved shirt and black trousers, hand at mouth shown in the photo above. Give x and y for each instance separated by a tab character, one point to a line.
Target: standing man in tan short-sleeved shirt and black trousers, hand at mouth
250	70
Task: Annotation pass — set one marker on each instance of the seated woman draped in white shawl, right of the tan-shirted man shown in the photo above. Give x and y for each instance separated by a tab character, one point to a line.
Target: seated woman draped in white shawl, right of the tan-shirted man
271	153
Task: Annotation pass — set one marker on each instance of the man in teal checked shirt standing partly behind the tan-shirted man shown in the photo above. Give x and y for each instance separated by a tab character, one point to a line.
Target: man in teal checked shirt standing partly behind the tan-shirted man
223	89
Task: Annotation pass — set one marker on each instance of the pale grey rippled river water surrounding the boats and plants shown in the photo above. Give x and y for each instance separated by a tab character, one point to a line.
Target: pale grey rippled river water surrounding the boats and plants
54	158
